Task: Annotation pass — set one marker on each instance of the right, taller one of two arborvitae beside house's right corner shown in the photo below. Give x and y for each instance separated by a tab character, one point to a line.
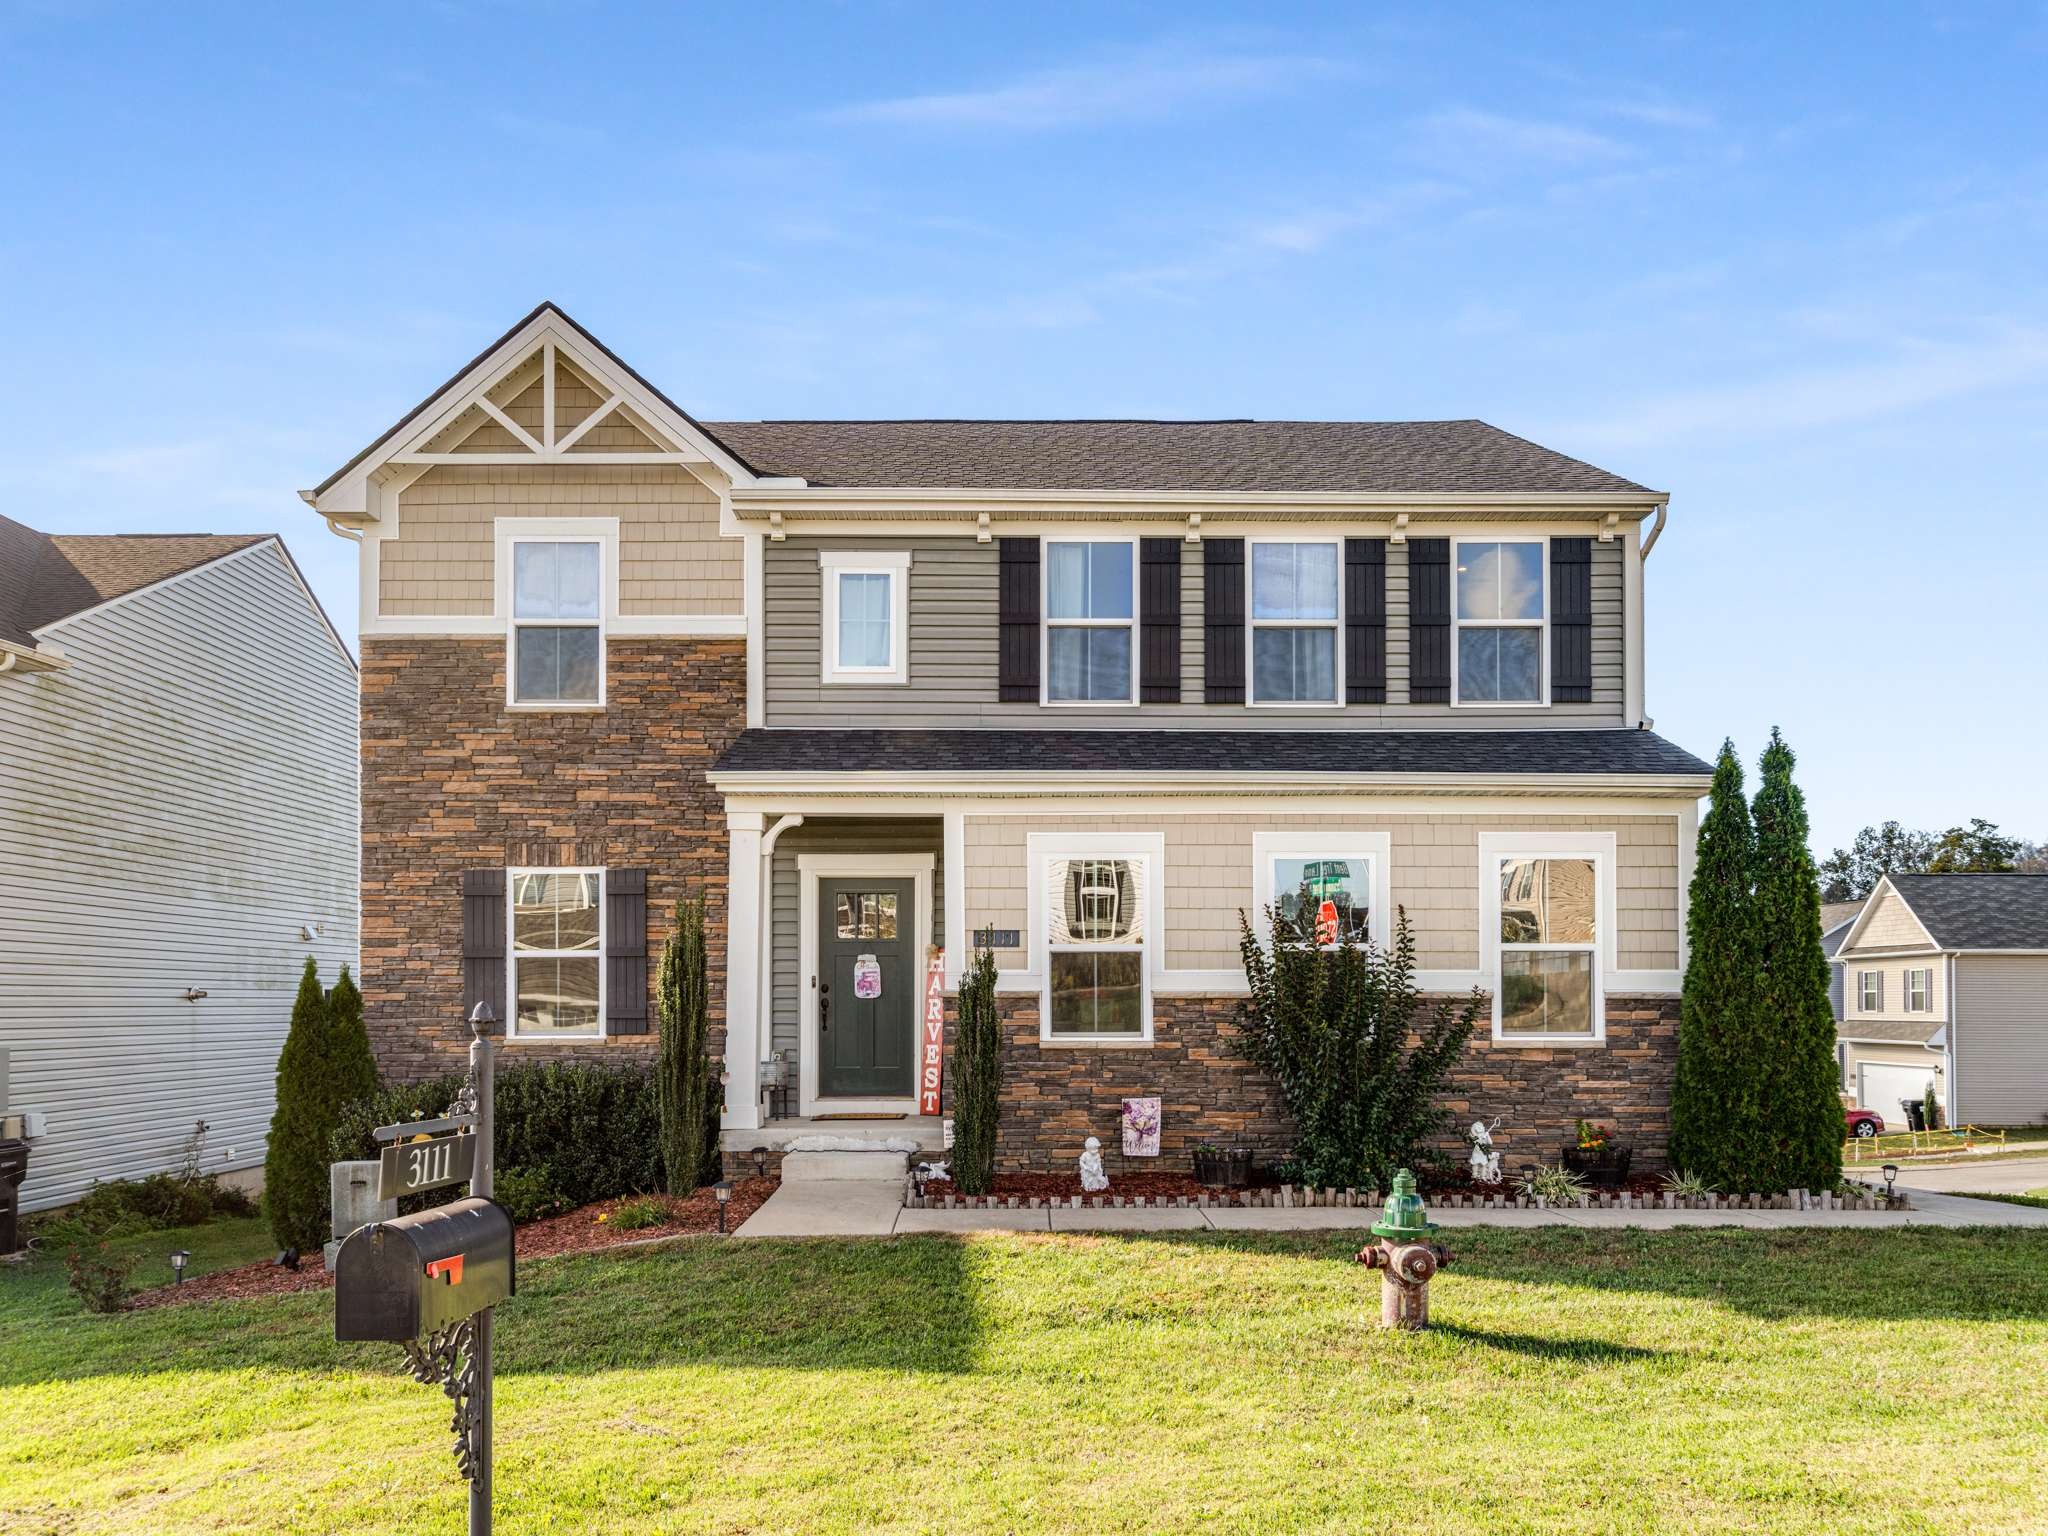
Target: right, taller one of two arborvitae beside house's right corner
1795	1021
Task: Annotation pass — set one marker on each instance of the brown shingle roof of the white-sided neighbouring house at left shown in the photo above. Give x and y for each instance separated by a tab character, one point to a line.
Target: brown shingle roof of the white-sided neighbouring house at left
48	577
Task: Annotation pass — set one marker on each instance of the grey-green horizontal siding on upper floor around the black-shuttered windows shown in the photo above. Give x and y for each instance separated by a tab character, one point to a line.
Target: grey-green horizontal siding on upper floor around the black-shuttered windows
953	652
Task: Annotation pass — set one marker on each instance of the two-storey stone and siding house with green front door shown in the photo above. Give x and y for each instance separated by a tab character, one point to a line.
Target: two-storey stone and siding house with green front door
1076	691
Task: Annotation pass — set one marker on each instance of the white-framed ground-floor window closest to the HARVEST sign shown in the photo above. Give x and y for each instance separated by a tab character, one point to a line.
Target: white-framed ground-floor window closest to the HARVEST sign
1097	937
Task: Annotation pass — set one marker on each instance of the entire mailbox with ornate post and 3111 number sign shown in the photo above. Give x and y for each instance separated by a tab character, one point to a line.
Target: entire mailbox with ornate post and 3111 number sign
431	1281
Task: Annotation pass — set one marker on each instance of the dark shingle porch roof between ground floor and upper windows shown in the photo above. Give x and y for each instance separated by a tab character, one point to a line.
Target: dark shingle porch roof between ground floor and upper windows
1201	751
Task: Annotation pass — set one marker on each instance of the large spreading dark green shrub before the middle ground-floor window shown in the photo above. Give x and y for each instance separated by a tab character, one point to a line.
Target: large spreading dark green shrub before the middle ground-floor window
1332	1027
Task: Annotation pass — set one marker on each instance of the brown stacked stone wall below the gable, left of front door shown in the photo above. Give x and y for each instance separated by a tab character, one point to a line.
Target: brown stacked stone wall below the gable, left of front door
454	779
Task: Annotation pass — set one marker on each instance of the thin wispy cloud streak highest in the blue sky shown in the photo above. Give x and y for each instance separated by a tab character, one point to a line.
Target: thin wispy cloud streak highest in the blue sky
1121	87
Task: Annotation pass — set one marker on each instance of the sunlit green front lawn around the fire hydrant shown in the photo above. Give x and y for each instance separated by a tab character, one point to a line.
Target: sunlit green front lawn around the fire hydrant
1578	1381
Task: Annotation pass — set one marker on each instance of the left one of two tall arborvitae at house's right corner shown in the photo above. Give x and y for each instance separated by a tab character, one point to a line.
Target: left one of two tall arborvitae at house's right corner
1715	1097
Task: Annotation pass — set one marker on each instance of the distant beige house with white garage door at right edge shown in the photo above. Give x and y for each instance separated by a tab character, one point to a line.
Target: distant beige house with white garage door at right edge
1947	984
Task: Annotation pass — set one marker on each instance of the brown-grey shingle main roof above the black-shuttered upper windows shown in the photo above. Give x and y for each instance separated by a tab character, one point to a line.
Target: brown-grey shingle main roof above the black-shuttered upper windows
1398	458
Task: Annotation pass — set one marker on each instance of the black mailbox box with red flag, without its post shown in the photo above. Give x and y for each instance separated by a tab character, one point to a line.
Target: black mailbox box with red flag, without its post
404	1279
